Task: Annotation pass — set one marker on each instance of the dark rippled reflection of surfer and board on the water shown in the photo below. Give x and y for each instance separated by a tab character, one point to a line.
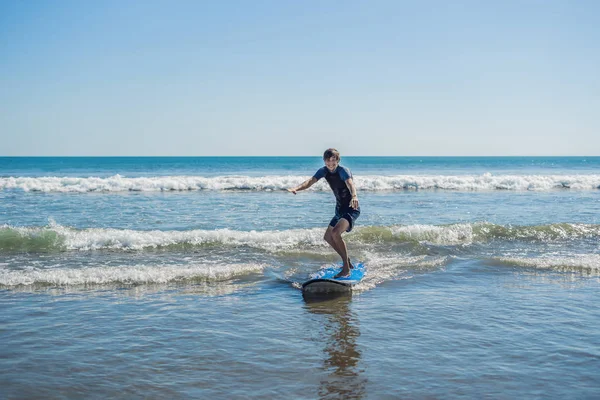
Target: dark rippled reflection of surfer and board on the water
341	328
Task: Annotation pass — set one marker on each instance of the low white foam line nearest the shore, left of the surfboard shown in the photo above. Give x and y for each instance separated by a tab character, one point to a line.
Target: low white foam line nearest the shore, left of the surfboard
130	274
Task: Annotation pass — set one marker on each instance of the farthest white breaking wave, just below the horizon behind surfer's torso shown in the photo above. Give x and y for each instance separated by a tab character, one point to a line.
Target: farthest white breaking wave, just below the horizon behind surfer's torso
118	183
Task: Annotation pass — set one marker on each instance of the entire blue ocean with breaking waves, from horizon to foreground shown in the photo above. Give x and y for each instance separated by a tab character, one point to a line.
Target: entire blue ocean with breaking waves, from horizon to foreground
155	277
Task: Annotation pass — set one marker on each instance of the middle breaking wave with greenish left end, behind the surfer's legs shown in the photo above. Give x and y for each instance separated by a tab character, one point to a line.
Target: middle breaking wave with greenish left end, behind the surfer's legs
60	238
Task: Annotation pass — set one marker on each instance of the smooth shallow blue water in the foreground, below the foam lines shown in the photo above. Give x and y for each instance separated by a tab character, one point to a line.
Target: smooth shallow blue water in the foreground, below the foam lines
469	330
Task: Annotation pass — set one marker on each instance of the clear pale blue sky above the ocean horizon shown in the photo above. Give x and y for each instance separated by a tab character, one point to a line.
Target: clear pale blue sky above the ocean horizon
286	77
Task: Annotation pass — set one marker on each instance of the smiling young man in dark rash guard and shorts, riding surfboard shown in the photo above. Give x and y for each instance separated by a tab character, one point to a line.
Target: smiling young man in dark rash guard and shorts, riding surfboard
346	207
